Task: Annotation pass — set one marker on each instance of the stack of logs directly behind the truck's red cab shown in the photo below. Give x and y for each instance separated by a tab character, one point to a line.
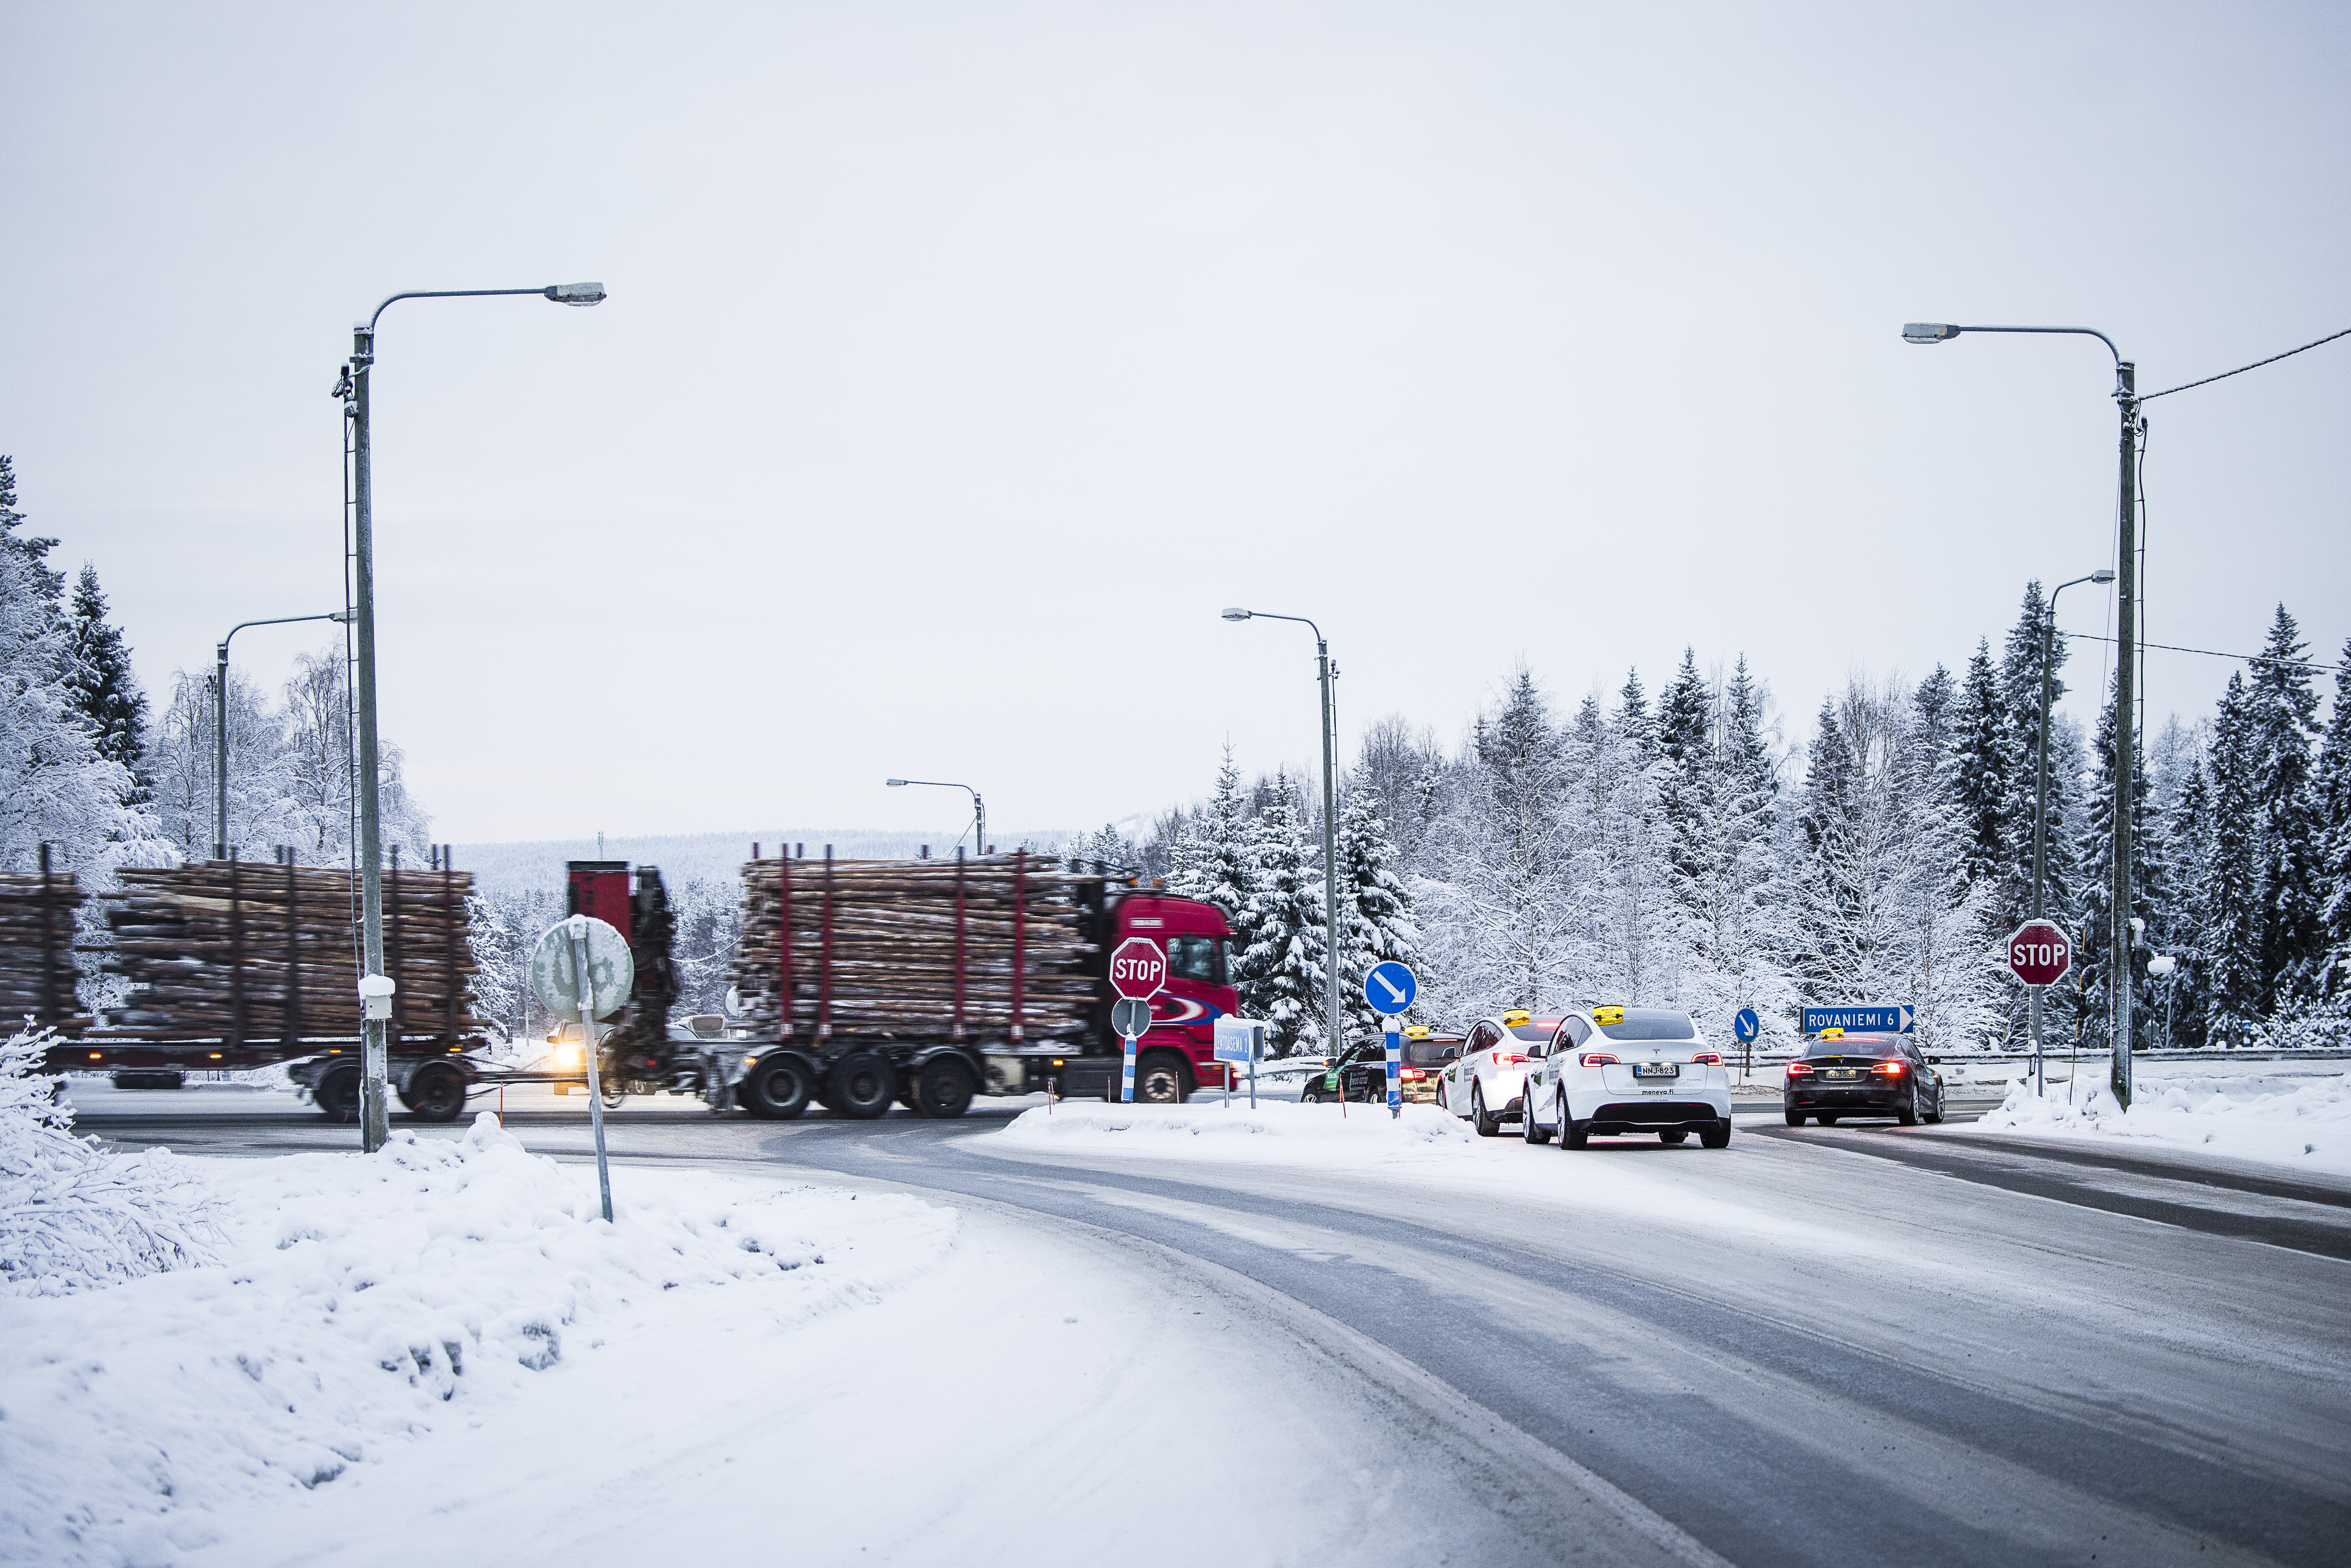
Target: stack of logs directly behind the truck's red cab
918	949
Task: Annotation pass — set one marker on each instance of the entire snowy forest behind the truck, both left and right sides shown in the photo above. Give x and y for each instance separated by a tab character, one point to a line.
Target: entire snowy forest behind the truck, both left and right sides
1668	850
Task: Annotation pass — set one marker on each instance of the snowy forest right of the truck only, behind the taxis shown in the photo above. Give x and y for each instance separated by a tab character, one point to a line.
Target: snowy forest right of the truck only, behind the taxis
1675	852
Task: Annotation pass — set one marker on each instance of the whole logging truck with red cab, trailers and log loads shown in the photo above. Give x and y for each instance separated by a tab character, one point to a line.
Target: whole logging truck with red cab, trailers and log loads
859	984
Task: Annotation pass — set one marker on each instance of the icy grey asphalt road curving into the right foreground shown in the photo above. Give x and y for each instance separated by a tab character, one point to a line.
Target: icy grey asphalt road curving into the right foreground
1858	1346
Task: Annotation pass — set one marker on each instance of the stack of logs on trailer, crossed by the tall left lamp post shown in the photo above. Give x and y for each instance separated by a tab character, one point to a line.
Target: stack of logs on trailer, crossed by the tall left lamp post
253	953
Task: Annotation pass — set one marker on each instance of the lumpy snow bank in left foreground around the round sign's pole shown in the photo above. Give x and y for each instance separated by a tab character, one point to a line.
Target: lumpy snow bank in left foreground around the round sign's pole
359	1304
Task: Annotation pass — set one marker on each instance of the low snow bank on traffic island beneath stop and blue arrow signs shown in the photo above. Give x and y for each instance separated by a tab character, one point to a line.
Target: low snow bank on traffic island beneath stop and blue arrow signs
1275	1130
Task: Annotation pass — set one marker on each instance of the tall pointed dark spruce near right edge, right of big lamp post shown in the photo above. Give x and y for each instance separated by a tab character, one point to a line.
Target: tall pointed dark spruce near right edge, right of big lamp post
2284	725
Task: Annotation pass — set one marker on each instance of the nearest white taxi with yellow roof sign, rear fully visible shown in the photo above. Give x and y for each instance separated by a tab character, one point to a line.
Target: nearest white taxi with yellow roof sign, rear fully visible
1628	1071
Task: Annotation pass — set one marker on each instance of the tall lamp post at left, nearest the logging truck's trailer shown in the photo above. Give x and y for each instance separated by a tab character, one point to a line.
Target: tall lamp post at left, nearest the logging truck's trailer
375	1115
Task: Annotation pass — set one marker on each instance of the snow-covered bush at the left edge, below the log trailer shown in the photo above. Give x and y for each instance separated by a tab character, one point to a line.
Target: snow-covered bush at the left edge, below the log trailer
74	1217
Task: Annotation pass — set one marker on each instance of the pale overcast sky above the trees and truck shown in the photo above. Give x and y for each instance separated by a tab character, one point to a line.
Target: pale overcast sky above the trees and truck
963	361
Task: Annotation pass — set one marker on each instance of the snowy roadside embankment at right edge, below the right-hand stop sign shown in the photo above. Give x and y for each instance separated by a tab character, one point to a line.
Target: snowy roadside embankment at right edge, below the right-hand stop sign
2279	1118
